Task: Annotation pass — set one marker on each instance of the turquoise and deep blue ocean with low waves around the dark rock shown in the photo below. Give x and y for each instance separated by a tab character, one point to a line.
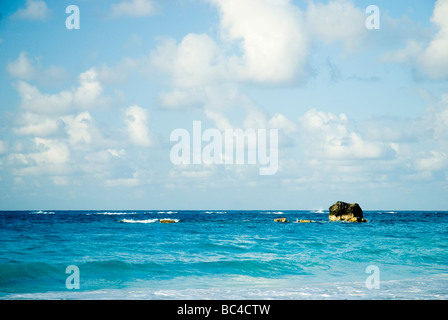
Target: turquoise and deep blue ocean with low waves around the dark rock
219	254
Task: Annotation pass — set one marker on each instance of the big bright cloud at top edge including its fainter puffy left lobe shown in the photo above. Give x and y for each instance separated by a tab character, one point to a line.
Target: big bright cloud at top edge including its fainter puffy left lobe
269	35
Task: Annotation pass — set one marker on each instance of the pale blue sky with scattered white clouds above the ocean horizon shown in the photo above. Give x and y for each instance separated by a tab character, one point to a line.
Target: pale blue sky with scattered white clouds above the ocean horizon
87	110
